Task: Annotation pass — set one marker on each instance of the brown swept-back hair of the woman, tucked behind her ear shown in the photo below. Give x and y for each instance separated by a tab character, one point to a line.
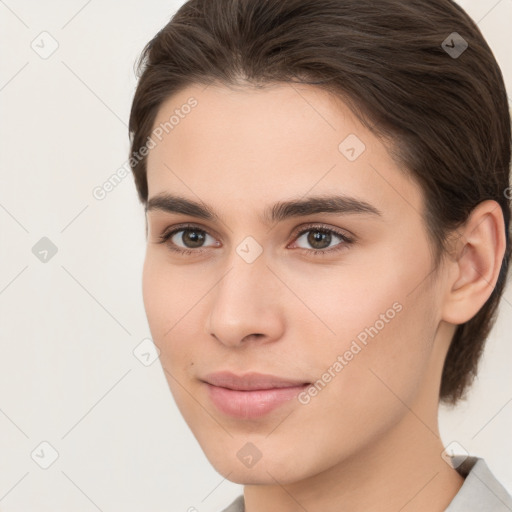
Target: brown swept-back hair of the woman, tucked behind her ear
445	114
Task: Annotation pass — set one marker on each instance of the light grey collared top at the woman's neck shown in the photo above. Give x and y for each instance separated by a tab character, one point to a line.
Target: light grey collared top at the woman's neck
480	492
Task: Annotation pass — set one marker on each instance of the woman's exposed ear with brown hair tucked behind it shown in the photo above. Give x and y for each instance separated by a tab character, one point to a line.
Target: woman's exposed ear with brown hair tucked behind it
475	268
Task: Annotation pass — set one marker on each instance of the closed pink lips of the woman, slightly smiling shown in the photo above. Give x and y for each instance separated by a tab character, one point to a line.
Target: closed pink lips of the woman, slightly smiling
251	395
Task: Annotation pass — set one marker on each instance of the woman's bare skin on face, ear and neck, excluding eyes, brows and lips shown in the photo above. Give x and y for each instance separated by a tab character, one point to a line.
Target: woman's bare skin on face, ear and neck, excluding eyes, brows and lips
369	440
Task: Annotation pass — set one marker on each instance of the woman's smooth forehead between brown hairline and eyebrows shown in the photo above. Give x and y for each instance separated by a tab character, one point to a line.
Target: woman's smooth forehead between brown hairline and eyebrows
255	145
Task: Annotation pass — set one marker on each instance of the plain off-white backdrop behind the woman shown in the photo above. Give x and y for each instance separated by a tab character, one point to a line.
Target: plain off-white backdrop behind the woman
74	396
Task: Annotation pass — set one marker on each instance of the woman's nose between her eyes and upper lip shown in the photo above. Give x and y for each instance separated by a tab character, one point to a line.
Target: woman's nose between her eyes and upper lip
246	304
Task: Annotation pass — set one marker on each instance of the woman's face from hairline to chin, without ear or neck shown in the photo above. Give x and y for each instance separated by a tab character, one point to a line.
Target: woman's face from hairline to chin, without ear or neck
349	330
